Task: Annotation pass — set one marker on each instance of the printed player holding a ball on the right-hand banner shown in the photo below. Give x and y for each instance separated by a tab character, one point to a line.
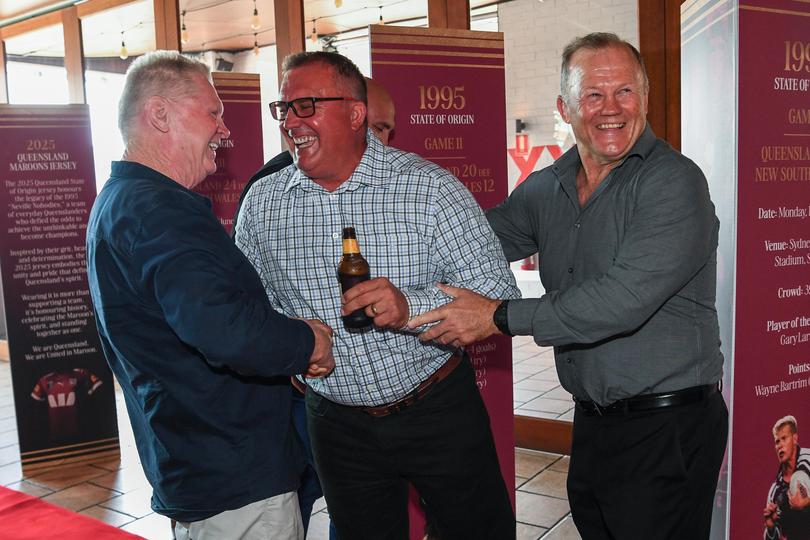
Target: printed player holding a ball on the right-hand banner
786	515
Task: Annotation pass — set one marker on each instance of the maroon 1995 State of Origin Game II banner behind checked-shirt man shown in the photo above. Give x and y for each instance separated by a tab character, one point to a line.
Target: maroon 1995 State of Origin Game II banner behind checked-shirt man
449	91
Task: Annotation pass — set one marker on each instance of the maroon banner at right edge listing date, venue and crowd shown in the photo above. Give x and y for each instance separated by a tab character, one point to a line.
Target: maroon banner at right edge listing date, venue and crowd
772	326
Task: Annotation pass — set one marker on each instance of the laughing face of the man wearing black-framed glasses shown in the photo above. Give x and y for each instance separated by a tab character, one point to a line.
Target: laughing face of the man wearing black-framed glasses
328	145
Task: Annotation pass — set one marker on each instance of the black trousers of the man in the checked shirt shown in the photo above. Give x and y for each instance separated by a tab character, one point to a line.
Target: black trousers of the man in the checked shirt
442	444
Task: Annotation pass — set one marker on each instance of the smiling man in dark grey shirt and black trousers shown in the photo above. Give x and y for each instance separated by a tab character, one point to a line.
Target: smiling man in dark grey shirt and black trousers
627	237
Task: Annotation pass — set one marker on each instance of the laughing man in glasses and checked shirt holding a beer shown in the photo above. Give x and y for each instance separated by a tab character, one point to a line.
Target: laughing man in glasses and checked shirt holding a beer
395	410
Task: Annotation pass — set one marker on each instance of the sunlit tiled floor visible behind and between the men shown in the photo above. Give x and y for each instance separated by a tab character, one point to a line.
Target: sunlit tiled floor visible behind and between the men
117	493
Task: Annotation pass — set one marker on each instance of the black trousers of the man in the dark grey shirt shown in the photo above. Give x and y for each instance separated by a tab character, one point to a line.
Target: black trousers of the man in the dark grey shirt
649	474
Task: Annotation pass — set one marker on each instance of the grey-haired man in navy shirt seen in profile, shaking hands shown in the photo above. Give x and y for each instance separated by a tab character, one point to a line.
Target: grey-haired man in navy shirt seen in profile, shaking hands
201	356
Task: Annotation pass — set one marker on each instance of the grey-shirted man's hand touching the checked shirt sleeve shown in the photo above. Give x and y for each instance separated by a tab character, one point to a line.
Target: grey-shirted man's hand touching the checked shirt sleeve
465	320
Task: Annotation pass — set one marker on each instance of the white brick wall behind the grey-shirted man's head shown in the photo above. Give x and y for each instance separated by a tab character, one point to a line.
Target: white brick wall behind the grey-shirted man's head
535	33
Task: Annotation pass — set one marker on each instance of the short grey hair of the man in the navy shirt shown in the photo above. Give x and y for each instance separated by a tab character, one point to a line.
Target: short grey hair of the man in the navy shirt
164	73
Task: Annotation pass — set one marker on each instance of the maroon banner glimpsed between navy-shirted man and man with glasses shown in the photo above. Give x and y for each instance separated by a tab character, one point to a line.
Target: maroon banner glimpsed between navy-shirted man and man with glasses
240	155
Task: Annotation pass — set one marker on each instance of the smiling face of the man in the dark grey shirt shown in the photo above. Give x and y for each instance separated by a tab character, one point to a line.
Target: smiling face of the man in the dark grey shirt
607	104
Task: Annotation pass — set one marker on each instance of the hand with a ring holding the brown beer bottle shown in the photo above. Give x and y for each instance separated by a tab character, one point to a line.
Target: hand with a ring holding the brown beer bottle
381	300
